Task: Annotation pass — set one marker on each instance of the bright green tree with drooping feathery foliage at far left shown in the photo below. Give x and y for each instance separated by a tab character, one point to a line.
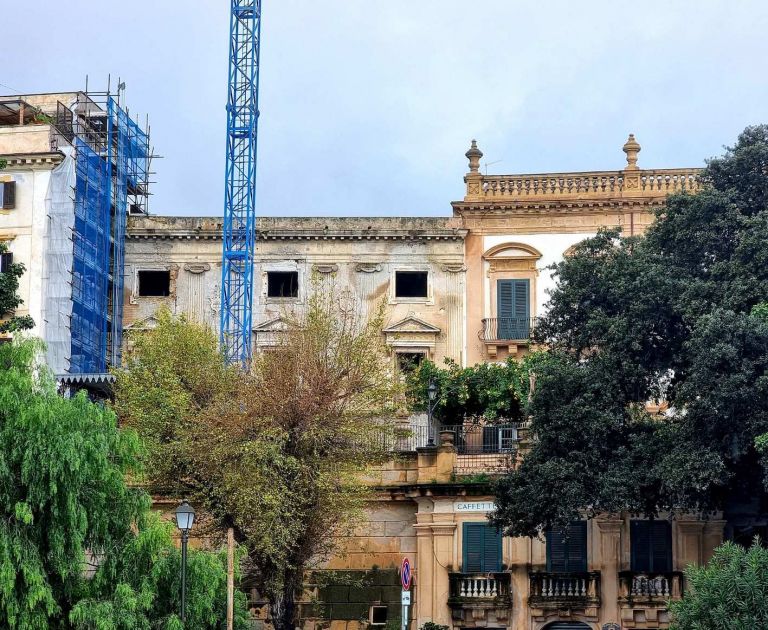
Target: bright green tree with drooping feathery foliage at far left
65	500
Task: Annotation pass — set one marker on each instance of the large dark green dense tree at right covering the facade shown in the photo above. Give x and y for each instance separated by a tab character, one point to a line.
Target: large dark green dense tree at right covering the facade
672	317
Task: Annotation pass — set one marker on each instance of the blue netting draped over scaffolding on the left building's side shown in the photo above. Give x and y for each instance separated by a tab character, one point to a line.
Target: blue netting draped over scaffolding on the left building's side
110	168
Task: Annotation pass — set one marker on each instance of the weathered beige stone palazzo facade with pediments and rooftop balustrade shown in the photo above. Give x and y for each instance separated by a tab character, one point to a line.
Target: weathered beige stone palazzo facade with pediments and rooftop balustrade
430	500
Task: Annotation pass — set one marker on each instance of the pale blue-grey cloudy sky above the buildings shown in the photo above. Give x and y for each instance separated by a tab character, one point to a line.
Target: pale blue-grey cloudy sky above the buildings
367	107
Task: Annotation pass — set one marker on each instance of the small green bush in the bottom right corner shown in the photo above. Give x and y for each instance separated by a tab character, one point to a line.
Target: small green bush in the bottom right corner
729	593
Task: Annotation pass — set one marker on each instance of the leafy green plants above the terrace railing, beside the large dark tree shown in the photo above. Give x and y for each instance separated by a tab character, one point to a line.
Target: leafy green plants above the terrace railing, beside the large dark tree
487	391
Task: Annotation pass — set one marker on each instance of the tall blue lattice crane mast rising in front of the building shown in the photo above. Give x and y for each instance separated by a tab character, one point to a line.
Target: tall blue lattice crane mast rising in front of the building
240	187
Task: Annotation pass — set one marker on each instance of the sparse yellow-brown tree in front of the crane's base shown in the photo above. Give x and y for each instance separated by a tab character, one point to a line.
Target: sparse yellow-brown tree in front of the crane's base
276	453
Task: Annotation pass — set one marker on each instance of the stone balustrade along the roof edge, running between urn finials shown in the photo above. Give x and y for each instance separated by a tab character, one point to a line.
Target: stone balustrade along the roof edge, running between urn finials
598	183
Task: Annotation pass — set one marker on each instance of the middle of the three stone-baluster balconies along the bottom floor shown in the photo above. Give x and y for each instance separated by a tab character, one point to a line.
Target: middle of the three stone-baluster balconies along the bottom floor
565	590
